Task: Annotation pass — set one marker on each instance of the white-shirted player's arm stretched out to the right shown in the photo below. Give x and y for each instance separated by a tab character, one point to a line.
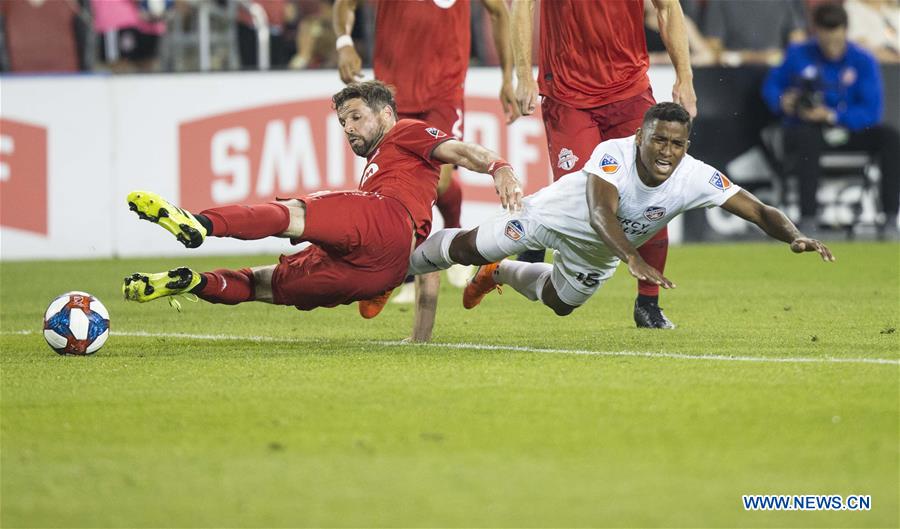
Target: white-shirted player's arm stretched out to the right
775	223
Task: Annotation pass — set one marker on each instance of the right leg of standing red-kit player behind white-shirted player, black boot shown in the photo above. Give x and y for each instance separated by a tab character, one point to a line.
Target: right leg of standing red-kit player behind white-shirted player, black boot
619	120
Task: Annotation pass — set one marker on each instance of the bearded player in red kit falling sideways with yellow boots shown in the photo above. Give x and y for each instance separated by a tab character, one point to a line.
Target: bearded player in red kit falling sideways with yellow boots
361	240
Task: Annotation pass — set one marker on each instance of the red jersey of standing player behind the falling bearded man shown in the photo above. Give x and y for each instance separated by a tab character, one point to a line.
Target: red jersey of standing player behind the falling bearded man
422	49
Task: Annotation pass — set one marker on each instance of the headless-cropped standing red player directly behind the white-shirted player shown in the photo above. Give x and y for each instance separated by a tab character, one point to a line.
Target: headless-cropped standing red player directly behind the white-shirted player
593	78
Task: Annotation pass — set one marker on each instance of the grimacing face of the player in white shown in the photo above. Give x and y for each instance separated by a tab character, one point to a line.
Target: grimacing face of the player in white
661	146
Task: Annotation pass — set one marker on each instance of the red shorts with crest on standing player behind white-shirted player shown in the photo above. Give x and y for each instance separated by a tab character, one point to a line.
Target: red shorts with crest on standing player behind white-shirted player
573	133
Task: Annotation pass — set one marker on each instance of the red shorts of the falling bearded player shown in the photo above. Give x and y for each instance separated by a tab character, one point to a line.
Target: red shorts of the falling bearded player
360	248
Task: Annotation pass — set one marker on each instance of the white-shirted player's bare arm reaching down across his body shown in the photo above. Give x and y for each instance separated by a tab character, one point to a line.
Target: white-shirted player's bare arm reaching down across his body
603	202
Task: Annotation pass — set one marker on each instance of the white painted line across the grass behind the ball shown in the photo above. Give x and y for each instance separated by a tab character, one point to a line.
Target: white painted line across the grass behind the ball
515	348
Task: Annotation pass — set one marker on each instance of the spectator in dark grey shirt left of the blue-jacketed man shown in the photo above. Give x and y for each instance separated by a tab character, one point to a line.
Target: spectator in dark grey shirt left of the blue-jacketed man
752	32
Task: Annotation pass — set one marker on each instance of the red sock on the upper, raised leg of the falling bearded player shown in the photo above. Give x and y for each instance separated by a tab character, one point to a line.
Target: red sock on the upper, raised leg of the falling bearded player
248	222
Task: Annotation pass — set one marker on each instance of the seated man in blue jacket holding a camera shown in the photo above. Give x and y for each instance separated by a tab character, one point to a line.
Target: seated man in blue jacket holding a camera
830	94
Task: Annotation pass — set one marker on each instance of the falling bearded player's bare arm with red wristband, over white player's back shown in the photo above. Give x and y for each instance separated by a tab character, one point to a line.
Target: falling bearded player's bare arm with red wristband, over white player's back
476	158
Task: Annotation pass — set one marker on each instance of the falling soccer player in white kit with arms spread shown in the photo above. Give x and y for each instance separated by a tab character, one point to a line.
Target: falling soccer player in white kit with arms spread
595	218
